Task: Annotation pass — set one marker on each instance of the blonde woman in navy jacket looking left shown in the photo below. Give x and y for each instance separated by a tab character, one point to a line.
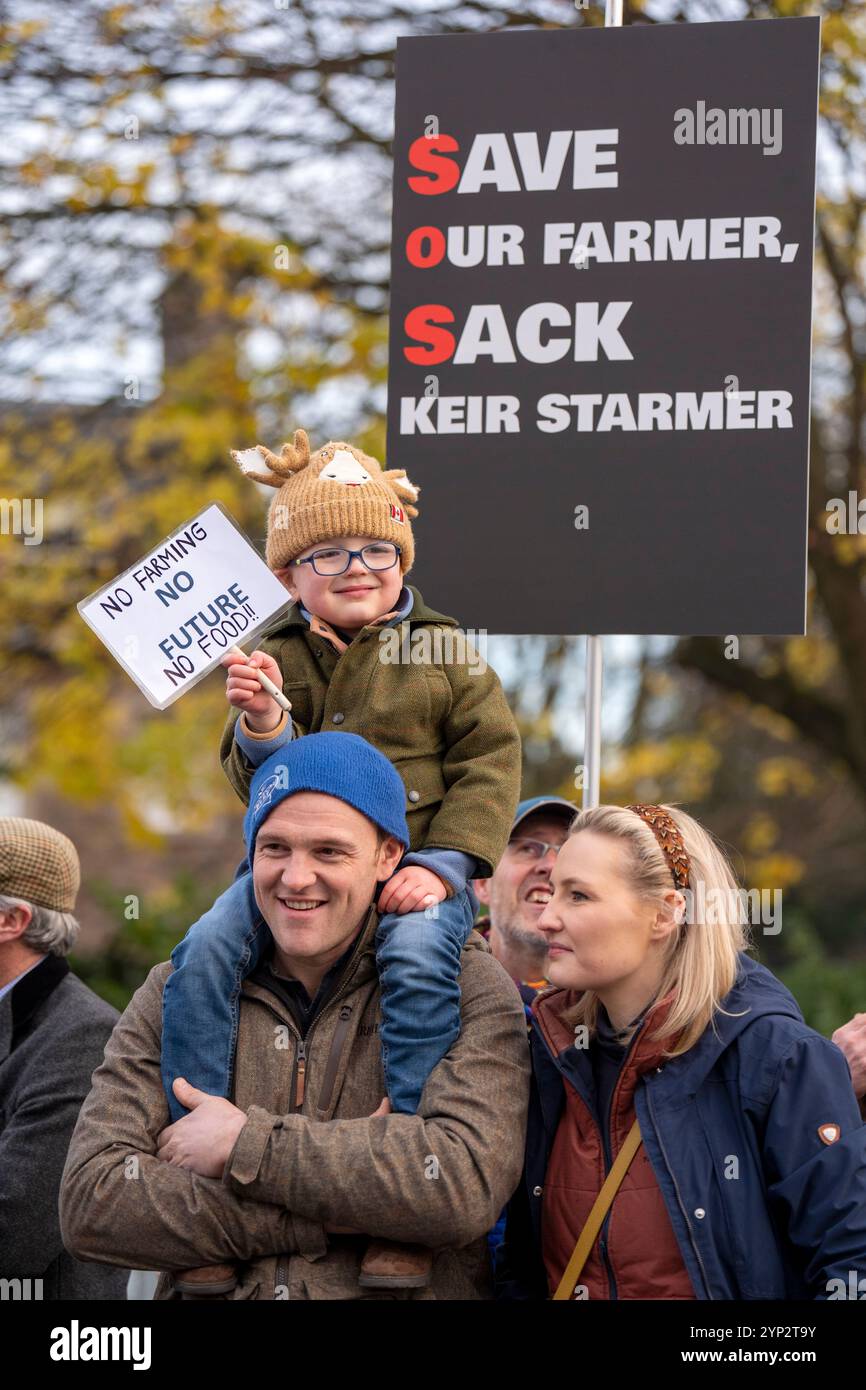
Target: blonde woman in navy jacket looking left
749	1170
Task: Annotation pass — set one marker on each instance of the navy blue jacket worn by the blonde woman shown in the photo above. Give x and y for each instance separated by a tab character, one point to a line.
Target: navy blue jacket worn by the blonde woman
757	1090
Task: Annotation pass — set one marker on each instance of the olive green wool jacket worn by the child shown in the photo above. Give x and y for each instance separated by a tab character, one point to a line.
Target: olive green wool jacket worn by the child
422	694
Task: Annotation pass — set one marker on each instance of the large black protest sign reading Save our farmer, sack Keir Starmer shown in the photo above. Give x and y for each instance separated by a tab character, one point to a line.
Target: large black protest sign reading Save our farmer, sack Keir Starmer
601	325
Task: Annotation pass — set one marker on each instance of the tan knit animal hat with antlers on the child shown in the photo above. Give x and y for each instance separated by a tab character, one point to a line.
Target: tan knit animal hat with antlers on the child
337	491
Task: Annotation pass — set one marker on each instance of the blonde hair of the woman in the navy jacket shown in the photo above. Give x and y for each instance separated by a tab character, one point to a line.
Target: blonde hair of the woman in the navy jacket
703	958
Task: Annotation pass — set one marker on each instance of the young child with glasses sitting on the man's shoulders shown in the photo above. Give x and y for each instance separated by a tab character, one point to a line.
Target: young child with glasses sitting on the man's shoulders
359	653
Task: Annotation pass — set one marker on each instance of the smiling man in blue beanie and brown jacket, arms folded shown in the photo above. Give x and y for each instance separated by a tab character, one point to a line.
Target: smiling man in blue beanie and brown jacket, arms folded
284	1182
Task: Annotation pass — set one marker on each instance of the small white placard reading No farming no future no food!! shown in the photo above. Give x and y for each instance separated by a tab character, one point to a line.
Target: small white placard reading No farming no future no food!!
176	612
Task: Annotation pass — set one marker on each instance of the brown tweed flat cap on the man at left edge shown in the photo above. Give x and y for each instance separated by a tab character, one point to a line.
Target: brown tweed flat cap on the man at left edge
38	864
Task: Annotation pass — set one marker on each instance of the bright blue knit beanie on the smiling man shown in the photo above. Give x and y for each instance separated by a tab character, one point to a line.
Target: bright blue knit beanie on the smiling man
338	765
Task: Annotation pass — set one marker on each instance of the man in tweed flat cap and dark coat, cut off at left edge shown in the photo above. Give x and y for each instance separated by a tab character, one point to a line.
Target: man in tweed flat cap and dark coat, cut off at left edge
54	1033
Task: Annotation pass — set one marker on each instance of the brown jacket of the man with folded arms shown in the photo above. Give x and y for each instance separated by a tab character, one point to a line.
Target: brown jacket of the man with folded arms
309	1154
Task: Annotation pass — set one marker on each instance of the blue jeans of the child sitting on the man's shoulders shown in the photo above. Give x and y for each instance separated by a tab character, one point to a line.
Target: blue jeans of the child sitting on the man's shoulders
419	964
